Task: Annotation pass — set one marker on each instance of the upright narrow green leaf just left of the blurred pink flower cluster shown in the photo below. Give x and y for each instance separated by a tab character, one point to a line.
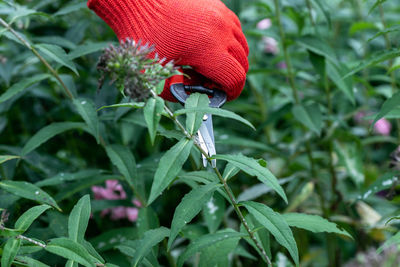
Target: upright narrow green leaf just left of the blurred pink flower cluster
79	219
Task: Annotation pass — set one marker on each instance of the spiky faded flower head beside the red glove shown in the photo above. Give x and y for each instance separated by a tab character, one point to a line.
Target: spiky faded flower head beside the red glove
133	70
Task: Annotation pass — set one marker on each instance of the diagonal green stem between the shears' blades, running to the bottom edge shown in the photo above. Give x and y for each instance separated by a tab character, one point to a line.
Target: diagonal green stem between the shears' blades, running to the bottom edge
221	179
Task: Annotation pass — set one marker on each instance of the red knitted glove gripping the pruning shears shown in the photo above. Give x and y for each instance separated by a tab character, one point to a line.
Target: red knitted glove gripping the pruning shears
203	34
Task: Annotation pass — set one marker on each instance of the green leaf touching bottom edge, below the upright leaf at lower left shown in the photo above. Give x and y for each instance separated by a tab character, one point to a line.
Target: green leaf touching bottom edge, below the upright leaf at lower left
70	250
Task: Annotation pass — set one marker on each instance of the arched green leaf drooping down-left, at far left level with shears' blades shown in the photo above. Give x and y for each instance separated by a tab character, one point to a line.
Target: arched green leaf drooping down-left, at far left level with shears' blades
48	132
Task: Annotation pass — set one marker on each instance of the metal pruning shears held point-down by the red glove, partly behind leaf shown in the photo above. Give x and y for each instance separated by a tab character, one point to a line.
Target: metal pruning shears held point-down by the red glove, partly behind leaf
205	134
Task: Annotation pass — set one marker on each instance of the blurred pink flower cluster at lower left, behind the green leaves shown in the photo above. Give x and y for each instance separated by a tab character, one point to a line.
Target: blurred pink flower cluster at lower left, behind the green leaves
115	191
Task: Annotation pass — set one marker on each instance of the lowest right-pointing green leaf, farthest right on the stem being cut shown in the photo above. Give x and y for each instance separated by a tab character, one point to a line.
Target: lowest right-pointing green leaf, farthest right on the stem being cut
313	223
